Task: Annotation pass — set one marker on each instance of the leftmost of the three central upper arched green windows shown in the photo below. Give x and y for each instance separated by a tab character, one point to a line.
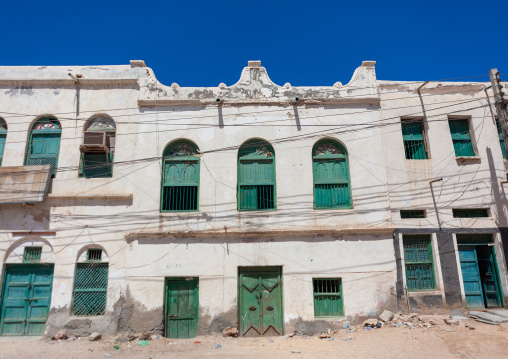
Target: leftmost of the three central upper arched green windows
180	177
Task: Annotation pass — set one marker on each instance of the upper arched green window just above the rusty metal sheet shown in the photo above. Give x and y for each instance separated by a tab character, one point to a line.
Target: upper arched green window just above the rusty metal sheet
44	143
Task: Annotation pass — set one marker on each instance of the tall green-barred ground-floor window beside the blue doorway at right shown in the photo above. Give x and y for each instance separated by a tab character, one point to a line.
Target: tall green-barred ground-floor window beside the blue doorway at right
419	262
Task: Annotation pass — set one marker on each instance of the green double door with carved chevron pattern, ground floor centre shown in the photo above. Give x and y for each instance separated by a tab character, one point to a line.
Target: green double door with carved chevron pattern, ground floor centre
260	301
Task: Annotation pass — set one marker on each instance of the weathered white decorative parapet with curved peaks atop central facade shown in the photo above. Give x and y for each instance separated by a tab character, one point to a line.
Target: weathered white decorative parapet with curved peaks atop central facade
255	87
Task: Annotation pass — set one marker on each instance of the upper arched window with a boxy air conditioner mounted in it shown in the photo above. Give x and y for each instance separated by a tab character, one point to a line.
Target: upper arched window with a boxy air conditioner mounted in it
98	148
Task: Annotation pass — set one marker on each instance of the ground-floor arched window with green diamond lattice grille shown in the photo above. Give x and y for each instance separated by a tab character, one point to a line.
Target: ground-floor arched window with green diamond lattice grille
91	286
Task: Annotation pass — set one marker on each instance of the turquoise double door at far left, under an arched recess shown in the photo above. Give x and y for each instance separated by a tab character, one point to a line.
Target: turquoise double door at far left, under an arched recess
26	297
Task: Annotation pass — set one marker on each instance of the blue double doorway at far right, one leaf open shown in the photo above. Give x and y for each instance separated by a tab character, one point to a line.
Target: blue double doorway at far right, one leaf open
479	275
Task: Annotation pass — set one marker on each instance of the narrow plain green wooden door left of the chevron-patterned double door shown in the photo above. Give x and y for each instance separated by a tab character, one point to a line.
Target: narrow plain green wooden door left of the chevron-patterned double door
181	308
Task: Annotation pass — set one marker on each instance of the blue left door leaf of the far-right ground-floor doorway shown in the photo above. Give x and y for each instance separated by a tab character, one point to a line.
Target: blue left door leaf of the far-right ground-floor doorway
471	277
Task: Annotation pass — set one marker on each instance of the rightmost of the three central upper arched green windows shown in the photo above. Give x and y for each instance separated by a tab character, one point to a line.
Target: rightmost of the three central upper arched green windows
332	187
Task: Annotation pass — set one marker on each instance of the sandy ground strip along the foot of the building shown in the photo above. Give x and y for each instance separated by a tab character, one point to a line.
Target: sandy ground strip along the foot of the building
441	341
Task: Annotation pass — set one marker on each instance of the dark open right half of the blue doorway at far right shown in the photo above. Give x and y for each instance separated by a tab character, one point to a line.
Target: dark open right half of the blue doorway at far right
488	274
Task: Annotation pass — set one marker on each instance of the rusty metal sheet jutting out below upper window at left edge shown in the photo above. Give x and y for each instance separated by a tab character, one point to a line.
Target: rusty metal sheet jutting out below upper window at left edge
24	184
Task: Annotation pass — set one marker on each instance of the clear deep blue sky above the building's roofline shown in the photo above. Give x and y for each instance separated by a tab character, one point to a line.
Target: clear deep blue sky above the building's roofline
203	43
